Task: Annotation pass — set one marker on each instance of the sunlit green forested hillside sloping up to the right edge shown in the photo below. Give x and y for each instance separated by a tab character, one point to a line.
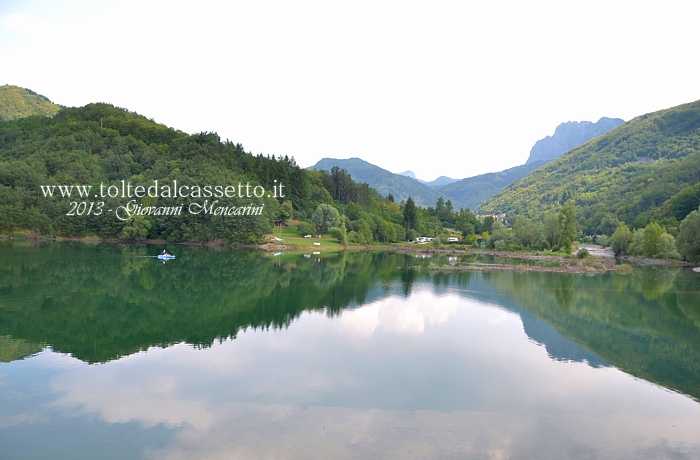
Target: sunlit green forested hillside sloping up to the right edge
647	168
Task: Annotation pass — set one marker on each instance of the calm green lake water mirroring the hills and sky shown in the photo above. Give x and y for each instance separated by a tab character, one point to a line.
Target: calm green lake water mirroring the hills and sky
108	353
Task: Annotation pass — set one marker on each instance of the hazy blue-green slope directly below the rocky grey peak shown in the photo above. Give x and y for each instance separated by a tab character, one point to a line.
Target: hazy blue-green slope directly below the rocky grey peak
473	191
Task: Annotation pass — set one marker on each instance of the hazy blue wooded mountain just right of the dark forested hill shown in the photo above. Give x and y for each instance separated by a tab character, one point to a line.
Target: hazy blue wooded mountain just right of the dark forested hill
386	182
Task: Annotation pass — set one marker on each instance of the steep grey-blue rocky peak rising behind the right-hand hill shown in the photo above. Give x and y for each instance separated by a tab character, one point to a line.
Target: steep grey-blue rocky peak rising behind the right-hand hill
569	135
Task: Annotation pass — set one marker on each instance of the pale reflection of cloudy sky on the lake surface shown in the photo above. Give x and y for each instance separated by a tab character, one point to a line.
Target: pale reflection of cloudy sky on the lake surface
467	388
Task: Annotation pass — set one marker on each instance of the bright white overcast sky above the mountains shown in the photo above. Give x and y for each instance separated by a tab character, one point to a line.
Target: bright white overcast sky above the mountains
454	88
